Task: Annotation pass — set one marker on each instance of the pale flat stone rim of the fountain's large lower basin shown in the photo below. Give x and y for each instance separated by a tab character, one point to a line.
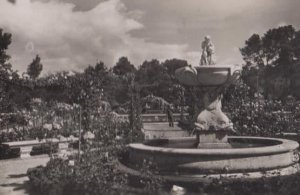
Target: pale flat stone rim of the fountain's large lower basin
283	145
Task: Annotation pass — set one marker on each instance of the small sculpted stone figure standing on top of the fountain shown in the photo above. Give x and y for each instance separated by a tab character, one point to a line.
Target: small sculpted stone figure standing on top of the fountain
208	51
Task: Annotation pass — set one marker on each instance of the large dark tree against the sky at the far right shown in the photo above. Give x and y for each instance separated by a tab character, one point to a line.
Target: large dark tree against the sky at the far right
274	56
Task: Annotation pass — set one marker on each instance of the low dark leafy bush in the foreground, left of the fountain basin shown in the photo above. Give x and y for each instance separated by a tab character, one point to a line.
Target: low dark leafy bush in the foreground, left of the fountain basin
94	173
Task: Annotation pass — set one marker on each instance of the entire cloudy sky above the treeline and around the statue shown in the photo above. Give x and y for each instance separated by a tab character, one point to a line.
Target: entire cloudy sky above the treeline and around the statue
71	34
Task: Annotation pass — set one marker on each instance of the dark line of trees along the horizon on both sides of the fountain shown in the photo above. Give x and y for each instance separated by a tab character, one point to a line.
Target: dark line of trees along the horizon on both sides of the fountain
274	55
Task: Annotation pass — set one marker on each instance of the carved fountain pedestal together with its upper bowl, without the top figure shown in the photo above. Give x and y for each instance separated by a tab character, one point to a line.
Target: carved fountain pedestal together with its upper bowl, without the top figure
212	124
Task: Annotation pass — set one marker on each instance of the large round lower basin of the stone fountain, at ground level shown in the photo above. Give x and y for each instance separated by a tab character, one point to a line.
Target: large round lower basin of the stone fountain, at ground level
179	159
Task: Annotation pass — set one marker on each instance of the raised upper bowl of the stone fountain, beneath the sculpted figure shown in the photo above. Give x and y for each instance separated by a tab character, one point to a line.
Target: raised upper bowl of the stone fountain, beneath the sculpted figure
208	75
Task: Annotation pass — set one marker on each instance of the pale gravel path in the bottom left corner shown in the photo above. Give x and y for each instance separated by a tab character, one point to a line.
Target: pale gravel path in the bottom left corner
13	179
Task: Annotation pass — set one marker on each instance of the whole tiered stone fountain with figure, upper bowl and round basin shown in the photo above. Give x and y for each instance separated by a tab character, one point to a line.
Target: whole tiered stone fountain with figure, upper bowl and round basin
212	153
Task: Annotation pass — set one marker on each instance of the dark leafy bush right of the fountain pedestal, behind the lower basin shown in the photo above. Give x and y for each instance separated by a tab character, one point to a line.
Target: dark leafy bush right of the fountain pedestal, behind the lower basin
254	115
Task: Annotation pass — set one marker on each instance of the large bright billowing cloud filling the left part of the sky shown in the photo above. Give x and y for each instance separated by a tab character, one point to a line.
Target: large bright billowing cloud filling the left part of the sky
70	40
